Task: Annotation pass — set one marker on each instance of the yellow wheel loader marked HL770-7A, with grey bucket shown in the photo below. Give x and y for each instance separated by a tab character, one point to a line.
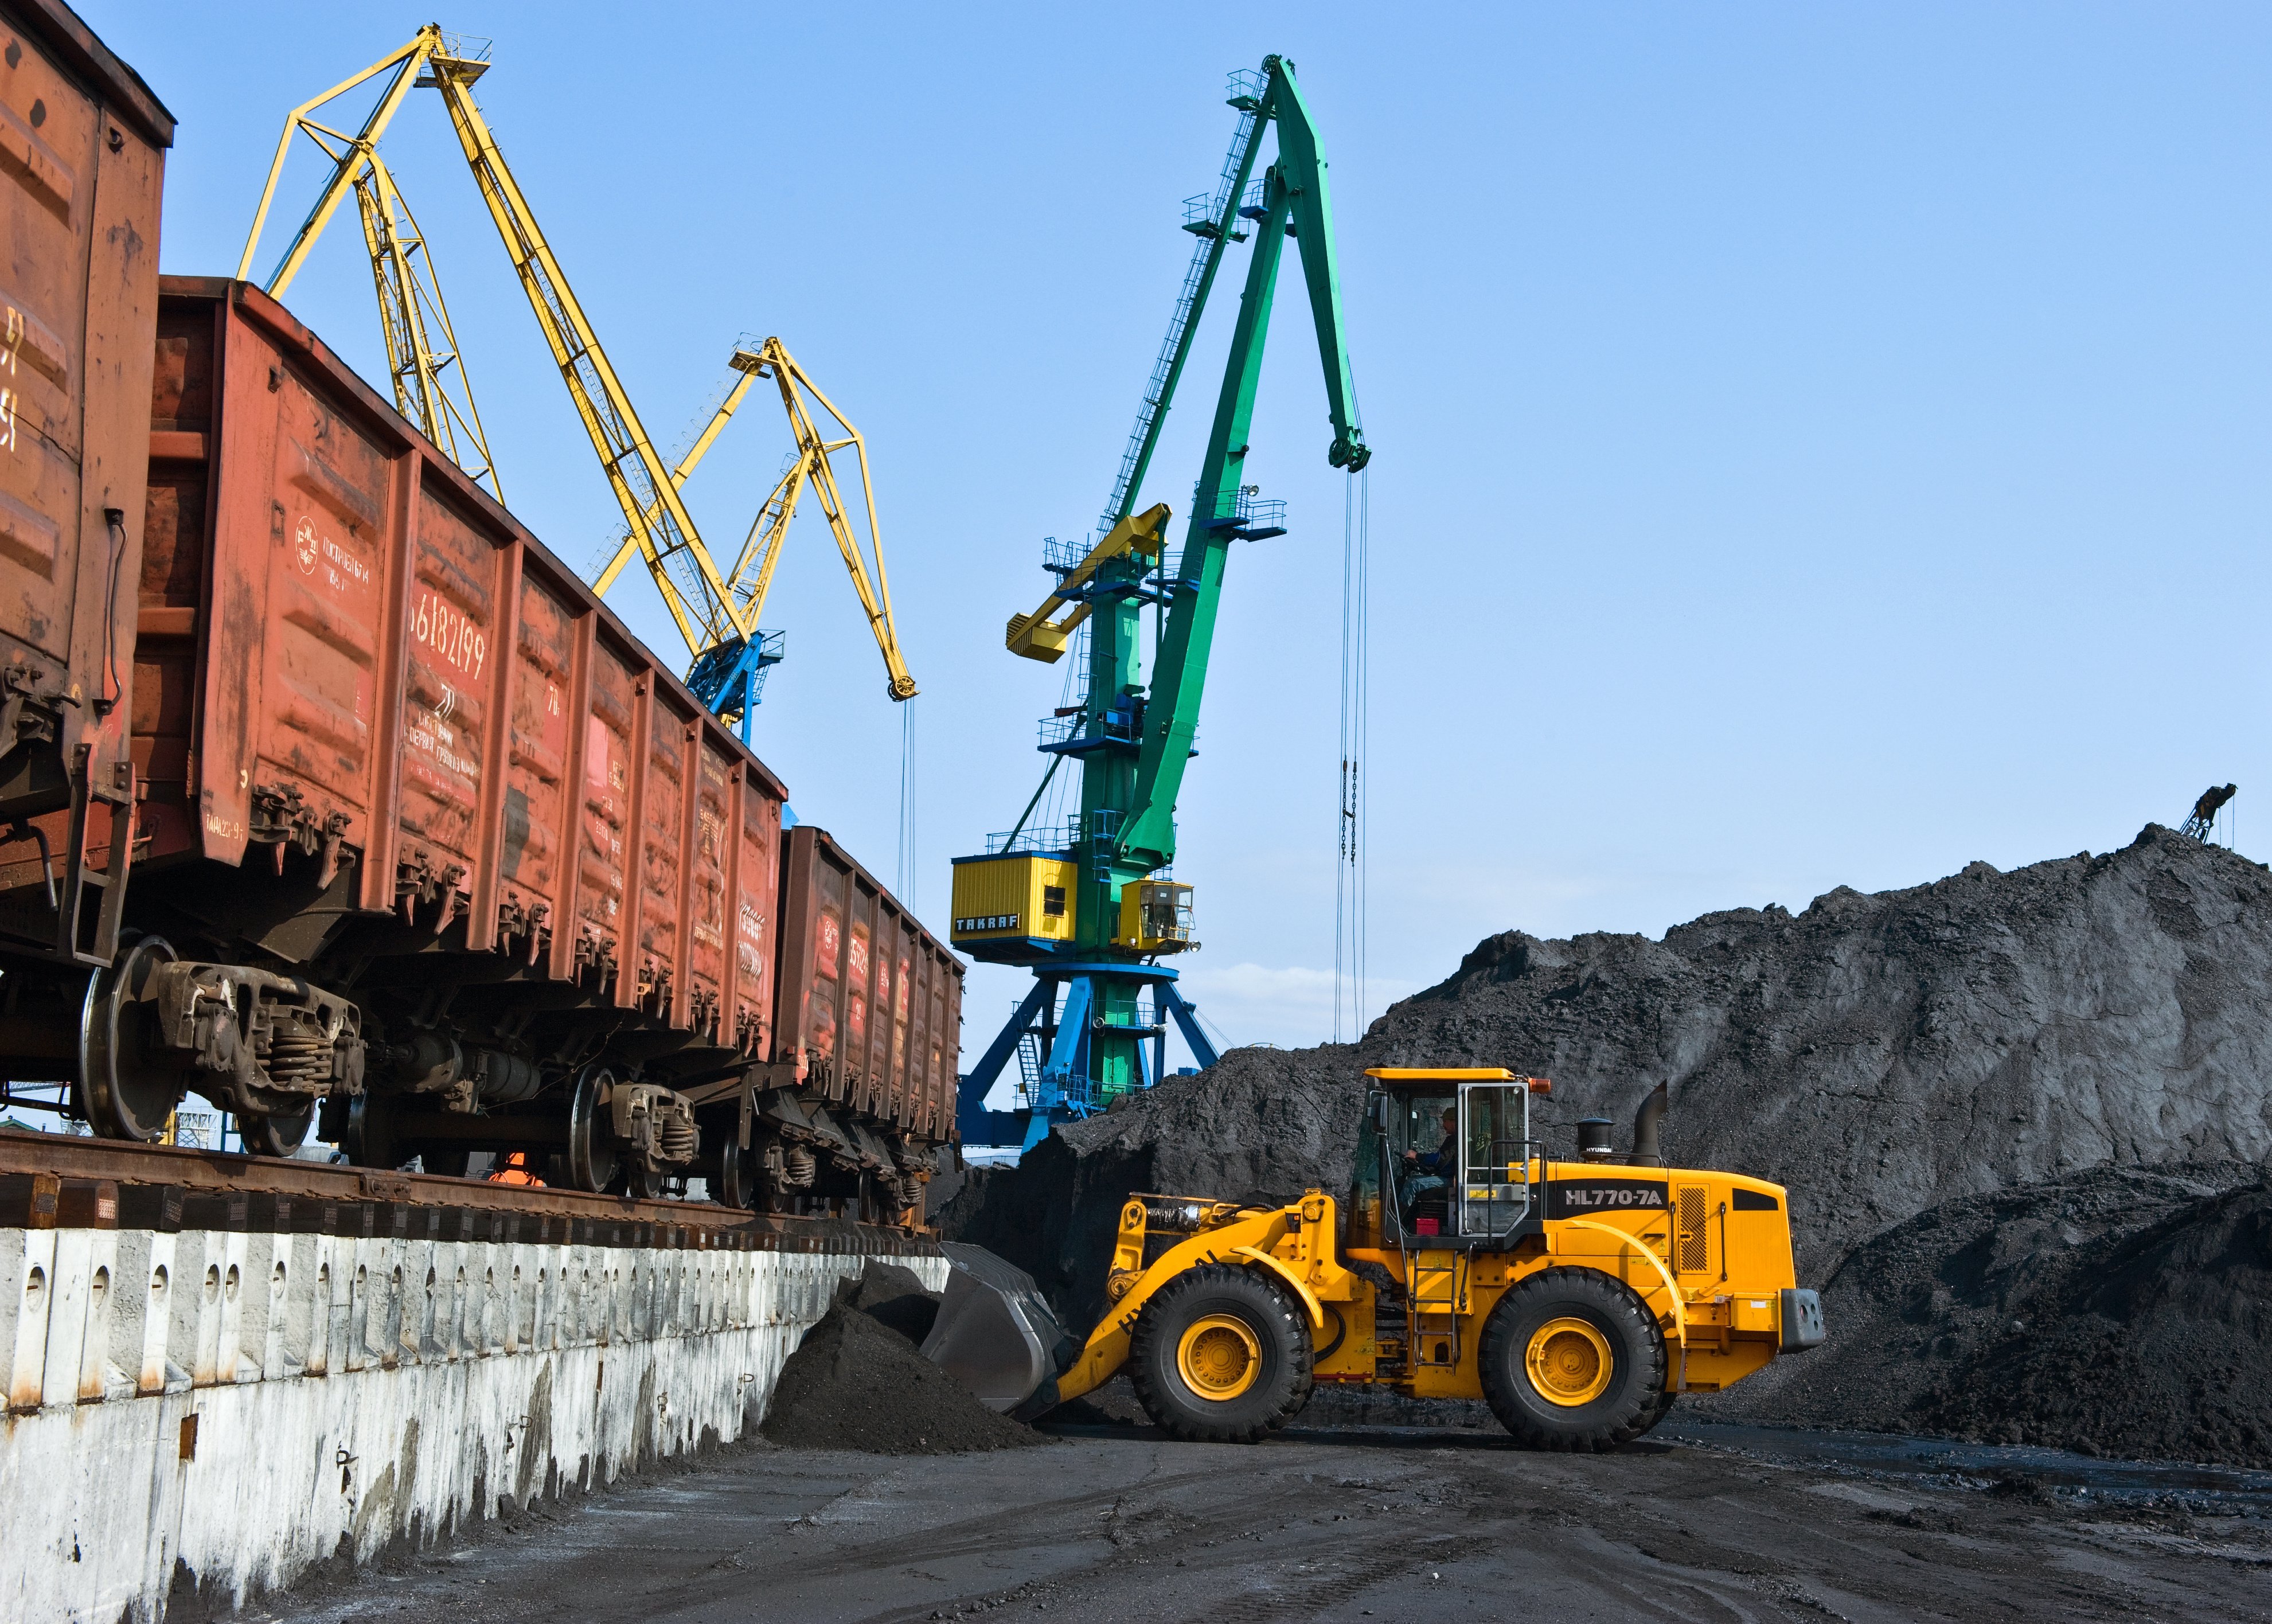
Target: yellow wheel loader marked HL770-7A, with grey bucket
1578	1298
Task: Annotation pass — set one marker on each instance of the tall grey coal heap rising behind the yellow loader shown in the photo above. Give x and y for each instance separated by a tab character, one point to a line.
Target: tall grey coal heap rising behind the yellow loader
1882	1055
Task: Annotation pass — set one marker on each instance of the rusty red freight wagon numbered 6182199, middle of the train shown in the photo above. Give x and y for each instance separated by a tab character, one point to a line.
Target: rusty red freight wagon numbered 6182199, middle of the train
424	837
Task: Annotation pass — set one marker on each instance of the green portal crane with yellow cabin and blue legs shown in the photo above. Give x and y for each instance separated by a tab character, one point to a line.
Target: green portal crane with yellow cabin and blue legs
1089	905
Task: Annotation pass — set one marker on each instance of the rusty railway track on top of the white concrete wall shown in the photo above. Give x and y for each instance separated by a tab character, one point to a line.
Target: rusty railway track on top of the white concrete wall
65	1182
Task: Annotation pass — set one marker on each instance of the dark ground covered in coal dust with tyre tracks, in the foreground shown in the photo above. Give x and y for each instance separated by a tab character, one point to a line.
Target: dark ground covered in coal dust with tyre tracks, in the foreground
1114	1523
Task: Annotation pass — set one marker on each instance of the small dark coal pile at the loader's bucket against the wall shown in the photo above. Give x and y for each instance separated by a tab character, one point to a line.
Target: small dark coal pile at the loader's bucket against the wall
860	1384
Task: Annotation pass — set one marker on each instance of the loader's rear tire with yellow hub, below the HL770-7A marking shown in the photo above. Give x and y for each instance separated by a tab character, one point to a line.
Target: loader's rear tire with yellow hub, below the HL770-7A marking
1573	1359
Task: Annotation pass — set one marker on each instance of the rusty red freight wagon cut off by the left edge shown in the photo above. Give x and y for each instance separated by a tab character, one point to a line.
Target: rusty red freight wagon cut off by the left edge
83	160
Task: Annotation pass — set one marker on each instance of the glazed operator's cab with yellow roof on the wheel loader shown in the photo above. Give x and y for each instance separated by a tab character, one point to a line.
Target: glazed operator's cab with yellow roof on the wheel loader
1482	1196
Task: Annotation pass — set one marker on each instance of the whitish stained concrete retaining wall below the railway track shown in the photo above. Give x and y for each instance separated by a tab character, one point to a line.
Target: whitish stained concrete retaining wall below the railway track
215	1412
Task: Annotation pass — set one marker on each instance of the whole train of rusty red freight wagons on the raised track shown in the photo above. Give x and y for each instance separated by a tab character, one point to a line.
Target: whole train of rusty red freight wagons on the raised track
333	796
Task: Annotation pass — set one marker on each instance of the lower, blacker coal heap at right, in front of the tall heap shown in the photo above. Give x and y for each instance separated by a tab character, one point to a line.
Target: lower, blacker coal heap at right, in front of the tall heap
2121	1312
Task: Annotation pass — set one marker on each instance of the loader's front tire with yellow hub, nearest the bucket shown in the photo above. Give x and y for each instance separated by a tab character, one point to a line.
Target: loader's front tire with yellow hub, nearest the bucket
1221	1357
